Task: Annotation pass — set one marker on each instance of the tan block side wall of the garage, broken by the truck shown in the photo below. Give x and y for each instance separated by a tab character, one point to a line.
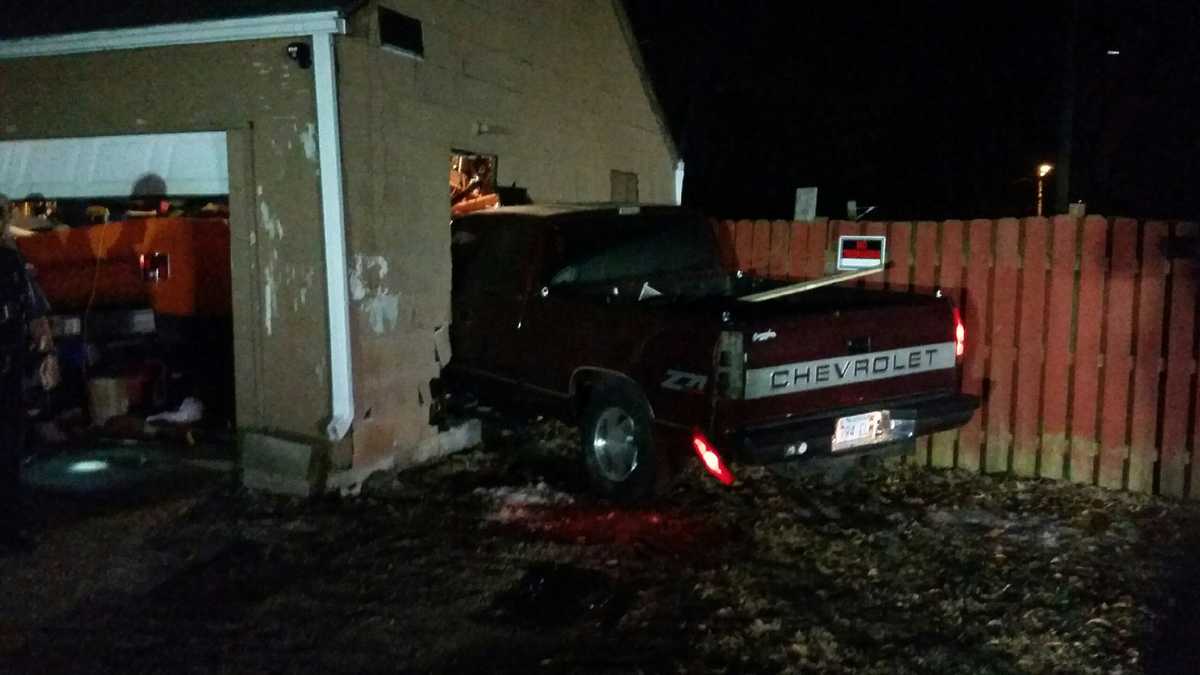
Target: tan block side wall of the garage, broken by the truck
559	89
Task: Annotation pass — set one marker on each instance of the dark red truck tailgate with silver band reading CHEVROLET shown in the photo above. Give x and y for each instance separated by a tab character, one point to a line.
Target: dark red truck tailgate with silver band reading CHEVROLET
839	349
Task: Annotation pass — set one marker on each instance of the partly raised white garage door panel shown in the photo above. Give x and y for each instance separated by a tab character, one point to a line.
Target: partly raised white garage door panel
111	166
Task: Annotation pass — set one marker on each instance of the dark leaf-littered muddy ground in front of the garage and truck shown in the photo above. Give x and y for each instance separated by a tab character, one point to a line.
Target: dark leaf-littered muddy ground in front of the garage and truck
491	561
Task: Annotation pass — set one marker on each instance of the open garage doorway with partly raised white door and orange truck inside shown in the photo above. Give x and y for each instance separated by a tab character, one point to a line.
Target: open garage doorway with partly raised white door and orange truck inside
129	238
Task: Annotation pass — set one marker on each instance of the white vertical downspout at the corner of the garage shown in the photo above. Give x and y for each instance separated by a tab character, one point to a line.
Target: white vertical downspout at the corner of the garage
333	211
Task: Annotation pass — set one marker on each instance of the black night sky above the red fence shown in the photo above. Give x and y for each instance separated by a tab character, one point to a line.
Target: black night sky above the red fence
929	110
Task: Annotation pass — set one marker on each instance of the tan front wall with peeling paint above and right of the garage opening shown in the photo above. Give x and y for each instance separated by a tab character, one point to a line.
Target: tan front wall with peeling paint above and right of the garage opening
267	103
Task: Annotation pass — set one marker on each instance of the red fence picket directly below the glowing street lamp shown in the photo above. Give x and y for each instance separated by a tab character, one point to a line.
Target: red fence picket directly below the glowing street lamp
1028	414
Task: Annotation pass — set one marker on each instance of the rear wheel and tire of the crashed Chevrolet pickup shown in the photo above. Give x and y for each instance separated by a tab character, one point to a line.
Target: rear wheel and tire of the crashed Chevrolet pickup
617	444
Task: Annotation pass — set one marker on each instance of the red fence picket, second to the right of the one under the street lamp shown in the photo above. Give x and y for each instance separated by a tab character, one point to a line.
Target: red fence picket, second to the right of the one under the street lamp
1088	351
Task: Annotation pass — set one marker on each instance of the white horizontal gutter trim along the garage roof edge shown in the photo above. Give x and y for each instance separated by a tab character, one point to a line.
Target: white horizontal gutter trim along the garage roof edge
167	35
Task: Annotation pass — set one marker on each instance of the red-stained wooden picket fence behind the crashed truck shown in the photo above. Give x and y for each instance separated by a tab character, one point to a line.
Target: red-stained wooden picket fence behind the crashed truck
1082	338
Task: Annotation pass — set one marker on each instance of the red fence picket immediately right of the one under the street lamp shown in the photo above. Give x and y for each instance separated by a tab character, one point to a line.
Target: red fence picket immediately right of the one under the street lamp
1057	390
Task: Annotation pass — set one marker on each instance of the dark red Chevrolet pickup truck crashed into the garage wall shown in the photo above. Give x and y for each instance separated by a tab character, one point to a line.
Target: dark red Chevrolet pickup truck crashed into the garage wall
623	321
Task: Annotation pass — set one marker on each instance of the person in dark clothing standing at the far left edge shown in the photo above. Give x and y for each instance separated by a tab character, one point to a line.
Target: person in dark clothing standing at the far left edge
25	328
